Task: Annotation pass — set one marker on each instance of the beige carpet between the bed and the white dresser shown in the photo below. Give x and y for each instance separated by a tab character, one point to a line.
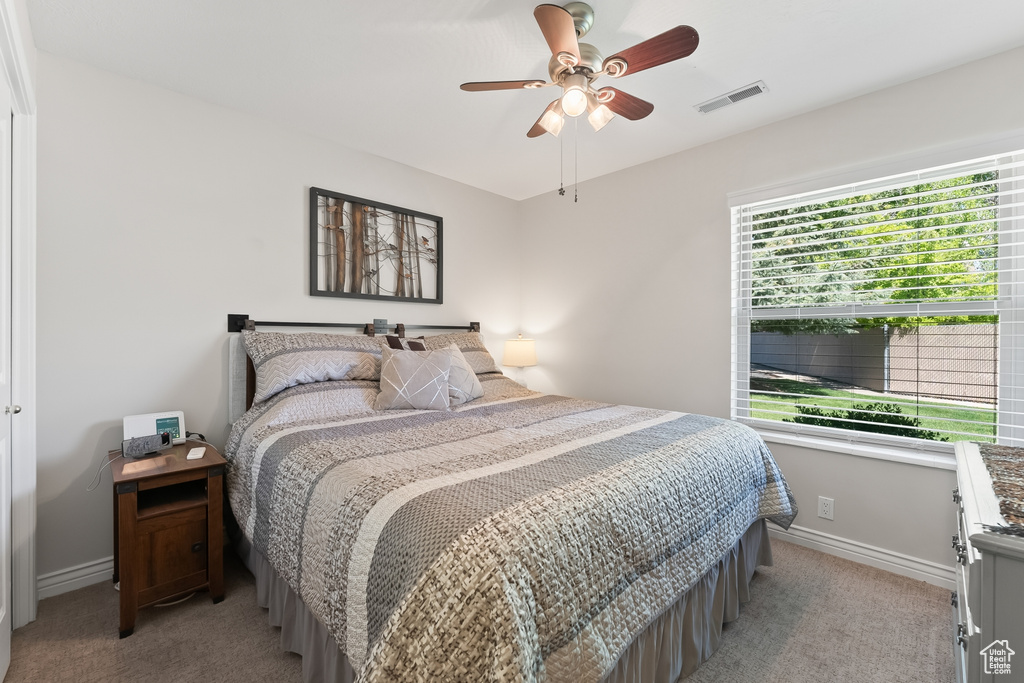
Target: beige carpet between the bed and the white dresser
816	618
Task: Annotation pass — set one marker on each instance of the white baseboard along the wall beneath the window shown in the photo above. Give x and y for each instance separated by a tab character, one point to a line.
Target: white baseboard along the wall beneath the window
915	568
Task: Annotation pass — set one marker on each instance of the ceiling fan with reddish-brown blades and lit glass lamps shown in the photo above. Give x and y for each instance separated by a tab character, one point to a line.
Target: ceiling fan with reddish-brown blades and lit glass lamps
576	66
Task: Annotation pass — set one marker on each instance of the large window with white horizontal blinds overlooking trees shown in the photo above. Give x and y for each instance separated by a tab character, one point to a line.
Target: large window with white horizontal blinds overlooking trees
891	311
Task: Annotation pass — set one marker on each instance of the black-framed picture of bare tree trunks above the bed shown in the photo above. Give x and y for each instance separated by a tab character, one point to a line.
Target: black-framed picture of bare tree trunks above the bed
363	249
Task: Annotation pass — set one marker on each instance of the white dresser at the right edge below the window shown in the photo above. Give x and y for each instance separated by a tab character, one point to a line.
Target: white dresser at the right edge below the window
989	604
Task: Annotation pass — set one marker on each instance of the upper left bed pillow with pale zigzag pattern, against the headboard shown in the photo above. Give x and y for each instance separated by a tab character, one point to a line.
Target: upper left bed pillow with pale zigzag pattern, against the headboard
284	360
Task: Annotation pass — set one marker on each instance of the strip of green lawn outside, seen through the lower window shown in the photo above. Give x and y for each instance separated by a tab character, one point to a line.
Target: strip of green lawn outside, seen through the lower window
773	395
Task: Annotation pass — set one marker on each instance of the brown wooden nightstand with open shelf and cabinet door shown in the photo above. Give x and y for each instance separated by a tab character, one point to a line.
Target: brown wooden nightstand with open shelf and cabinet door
168	528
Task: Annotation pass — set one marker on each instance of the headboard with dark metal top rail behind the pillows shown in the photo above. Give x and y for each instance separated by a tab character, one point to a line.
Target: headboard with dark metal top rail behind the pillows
242	374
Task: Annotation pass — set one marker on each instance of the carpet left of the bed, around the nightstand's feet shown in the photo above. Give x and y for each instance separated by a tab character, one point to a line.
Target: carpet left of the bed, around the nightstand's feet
75	638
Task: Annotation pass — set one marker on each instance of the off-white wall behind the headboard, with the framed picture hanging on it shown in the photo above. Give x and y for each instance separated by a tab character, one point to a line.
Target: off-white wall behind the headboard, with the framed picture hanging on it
158	217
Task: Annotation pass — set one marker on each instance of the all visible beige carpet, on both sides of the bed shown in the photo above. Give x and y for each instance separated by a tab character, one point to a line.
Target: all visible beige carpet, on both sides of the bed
813	618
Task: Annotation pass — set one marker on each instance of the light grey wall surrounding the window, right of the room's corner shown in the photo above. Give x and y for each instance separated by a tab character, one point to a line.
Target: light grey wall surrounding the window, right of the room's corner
630	295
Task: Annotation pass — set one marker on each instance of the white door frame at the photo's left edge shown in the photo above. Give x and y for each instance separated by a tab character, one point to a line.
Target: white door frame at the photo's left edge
18	54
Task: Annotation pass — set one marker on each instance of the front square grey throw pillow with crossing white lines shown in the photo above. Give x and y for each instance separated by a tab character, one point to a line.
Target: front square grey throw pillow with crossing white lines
414	380
